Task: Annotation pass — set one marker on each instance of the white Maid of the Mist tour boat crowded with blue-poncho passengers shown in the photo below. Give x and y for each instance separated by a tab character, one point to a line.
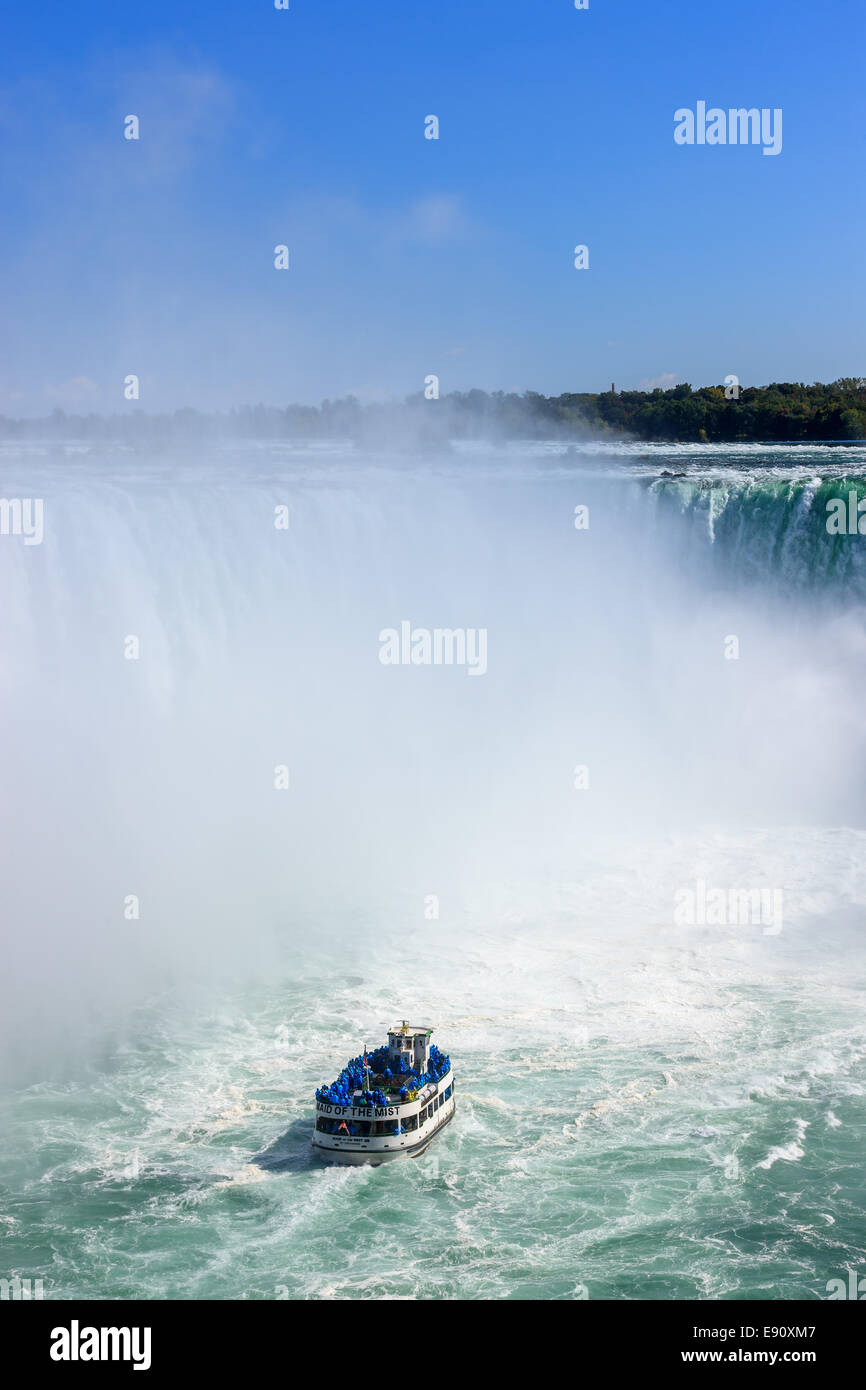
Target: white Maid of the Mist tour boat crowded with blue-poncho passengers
387	1104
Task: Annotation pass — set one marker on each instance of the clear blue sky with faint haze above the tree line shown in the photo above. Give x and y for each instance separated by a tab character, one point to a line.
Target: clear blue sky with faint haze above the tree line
412	256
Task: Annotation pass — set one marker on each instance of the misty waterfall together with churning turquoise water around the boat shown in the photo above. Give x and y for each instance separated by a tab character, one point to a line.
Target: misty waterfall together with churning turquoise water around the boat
647	1109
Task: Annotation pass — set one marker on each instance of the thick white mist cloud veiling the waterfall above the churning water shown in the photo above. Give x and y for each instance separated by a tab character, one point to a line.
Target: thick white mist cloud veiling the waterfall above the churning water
151	846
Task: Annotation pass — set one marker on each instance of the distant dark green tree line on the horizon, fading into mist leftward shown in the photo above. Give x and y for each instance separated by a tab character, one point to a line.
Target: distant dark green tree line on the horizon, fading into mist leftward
779	412
